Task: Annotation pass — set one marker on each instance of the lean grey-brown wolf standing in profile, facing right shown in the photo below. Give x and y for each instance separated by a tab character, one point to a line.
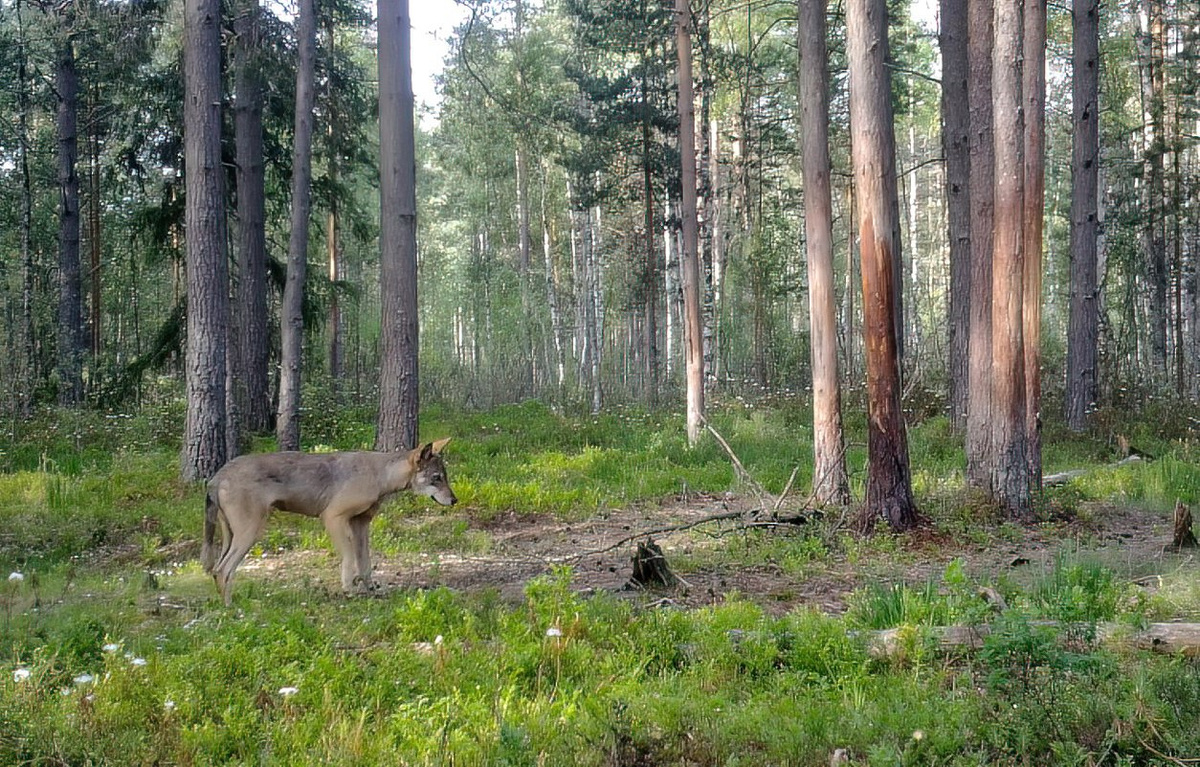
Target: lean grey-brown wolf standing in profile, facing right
345	490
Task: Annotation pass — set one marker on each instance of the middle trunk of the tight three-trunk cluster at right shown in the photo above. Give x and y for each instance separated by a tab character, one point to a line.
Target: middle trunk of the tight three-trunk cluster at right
1011	481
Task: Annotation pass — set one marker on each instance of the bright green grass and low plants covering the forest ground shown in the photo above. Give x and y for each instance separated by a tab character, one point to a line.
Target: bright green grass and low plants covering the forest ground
94	518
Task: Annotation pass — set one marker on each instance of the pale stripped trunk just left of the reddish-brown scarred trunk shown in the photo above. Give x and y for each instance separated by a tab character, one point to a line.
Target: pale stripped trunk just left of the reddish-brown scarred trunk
831	483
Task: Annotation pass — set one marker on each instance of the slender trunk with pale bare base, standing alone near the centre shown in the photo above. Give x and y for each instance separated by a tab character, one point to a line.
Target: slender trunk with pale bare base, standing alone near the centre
689	257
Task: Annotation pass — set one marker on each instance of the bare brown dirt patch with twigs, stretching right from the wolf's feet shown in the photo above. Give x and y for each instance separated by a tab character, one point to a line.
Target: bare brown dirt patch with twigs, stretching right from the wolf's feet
721	558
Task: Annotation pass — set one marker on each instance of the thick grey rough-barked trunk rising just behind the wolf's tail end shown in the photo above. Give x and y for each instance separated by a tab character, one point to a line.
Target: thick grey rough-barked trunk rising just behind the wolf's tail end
208	277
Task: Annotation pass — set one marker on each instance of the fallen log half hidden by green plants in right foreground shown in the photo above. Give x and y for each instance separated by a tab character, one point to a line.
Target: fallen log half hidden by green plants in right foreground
1181	639
